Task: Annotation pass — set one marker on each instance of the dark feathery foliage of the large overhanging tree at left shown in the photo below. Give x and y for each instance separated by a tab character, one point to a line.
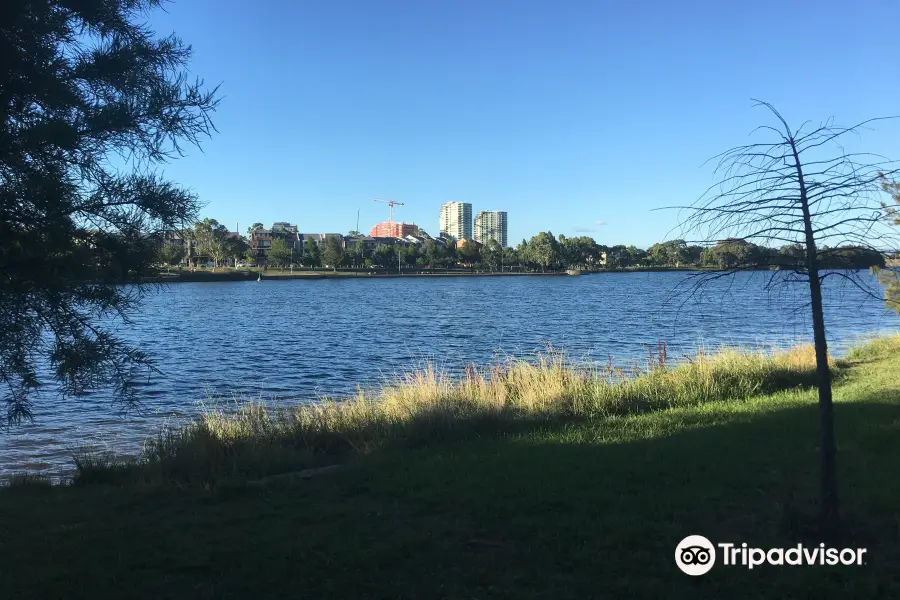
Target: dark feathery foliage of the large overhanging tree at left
81	82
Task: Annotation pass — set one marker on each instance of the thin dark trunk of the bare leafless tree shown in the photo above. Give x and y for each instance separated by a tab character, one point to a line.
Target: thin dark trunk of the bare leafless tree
829	514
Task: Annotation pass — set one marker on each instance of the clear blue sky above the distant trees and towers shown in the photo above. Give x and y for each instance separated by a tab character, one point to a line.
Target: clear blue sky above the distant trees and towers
577	117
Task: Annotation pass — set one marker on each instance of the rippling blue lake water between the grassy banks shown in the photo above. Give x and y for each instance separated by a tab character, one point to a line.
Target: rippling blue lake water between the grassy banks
292	341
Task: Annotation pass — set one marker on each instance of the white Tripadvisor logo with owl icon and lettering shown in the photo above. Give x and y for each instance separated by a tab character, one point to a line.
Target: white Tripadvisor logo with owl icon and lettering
696	555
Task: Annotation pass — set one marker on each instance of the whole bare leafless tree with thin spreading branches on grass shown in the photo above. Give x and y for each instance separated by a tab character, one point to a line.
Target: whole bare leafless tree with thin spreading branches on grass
799	188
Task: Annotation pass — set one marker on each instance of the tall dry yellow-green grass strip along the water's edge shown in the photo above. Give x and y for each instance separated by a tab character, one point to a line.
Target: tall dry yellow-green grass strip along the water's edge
425	405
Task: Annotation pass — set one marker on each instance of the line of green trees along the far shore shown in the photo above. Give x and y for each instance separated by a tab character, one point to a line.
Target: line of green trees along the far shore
543	252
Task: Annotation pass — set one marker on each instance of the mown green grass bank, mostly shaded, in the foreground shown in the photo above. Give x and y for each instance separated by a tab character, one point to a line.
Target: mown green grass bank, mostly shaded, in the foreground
578	504
